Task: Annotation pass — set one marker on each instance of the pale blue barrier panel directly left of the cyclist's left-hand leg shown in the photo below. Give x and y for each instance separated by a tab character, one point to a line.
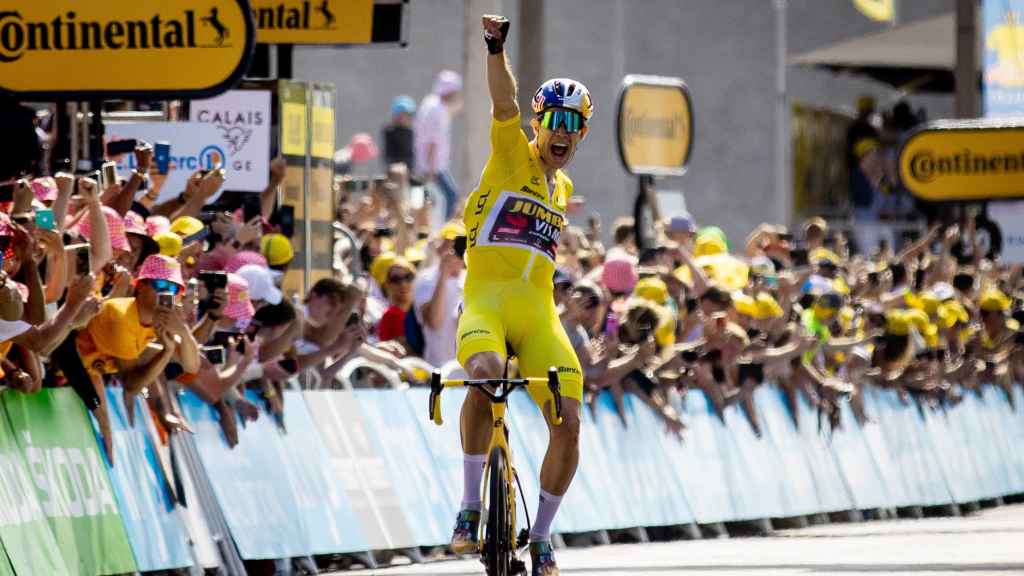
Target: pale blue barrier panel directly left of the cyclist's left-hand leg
444	443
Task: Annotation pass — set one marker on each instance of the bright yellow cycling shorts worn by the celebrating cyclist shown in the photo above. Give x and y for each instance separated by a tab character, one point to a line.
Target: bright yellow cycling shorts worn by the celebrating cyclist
525	316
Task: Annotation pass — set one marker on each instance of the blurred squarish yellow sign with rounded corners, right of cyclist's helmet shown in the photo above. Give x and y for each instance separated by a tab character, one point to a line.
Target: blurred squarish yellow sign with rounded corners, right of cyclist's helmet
656	126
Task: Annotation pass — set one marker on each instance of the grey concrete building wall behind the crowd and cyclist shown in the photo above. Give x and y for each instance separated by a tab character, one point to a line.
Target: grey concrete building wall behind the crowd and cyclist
727	51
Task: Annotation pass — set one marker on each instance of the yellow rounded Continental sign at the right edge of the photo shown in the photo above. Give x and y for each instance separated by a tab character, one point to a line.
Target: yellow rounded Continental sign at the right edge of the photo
970	160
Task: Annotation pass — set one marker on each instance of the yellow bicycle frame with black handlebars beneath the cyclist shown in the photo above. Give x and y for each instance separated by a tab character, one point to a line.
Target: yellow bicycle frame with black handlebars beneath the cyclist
499	433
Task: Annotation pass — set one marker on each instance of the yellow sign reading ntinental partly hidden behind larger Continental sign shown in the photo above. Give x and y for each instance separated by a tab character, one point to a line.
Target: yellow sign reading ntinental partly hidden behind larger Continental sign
314	22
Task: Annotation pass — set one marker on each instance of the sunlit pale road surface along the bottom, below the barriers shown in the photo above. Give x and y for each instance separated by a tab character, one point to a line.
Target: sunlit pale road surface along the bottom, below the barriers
989	543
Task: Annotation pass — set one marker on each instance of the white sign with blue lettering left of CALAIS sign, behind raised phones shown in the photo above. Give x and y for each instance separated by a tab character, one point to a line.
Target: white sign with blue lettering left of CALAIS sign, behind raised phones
194	147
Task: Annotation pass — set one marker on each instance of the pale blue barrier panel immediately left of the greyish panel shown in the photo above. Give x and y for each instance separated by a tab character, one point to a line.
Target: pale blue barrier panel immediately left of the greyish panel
324	507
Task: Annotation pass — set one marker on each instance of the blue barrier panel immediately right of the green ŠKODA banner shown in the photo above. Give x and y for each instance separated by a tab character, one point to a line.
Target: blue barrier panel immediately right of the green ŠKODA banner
155	531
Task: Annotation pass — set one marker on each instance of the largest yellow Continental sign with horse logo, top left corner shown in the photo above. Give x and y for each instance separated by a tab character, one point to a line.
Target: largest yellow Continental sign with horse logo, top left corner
124	49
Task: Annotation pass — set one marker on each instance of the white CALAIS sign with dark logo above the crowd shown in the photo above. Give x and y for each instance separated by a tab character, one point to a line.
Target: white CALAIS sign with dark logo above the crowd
243	120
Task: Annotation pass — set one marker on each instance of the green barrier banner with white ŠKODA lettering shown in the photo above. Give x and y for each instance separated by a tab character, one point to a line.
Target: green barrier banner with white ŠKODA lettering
70	478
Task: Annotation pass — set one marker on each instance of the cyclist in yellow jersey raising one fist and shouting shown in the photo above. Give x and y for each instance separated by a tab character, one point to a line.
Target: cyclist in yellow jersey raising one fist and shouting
514	222
